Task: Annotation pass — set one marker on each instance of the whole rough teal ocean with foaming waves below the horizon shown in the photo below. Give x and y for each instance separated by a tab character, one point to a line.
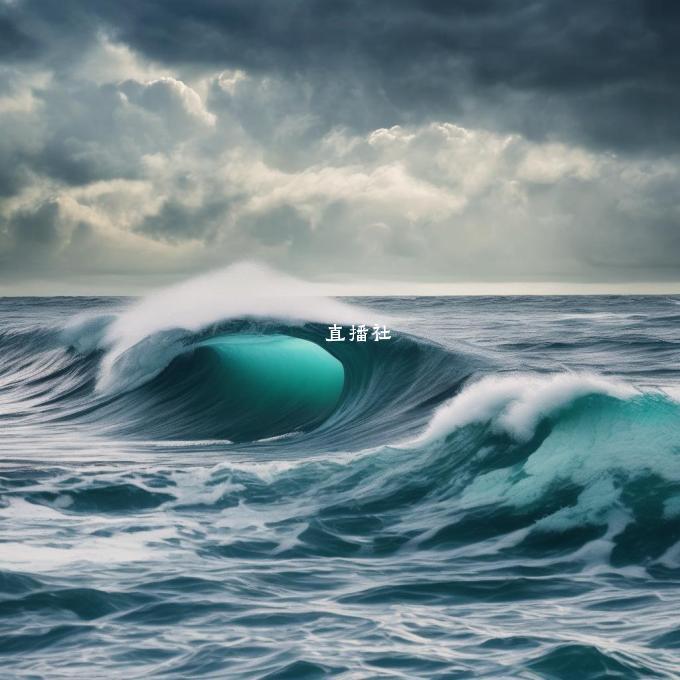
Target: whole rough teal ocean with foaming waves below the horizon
200	487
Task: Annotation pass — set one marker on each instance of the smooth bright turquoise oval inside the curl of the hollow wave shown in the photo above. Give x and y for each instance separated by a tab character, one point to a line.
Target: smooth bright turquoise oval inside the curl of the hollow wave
271	385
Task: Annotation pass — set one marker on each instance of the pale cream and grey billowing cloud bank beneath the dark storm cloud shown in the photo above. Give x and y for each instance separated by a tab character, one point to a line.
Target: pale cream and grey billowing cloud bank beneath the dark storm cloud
123	166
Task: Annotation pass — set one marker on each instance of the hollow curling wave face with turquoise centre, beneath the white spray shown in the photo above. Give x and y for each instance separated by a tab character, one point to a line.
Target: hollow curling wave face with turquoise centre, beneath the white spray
248	380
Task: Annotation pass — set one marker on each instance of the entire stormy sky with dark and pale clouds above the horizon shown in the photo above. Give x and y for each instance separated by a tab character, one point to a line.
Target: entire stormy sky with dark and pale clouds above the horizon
375	145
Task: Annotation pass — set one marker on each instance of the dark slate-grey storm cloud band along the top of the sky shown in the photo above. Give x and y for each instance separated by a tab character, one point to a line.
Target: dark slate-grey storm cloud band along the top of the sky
604	72
